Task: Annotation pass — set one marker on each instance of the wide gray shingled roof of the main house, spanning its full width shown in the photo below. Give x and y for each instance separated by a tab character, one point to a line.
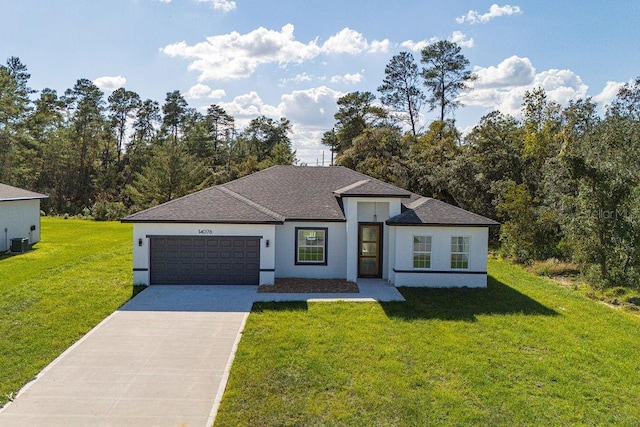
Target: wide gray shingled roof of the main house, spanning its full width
292	193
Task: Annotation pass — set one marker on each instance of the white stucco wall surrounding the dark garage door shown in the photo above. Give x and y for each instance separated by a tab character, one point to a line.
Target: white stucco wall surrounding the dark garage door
142	230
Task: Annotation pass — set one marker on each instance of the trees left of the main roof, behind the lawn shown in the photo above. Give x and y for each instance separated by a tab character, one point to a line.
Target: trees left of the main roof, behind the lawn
107	157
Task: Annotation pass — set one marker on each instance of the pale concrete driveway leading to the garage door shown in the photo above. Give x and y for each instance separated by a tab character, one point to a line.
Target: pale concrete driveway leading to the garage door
161	360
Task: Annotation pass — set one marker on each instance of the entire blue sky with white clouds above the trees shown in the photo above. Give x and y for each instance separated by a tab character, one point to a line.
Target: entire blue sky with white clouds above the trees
295	58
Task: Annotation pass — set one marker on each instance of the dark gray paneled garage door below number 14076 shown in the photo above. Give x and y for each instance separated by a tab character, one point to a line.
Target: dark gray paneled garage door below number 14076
214	260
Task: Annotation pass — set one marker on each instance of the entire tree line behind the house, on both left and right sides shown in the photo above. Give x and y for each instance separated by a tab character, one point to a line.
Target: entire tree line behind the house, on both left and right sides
563	181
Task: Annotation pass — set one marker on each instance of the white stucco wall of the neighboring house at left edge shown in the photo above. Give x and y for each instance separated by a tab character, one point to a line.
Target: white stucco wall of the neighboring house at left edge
16	219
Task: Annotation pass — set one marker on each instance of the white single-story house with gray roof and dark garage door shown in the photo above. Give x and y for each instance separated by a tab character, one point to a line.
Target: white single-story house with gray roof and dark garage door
312	222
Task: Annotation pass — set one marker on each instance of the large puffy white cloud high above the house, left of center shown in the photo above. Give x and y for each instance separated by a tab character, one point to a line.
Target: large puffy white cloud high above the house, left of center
235	56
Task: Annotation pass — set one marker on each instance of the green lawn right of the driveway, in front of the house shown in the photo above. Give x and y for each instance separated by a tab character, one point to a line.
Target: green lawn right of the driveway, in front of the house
525	351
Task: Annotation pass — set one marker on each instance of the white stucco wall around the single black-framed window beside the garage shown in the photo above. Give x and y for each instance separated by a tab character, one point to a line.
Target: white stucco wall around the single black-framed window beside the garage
336	267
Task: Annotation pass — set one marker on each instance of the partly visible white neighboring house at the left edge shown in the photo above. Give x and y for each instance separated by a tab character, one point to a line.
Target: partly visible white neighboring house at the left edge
19	215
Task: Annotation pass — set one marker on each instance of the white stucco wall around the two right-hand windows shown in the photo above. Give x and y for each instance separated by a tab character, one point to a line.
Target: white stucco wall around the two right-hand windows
441	274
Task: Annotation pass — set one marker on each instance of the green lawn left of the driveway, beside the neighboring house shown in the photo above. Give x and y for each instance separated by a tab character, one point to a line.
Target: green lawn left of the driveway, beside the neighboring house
50	297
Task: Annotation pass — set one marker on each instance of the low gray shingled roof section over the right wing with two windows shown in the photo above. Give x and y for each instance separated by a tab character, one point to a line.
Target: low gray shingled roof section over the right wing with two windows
427	211
